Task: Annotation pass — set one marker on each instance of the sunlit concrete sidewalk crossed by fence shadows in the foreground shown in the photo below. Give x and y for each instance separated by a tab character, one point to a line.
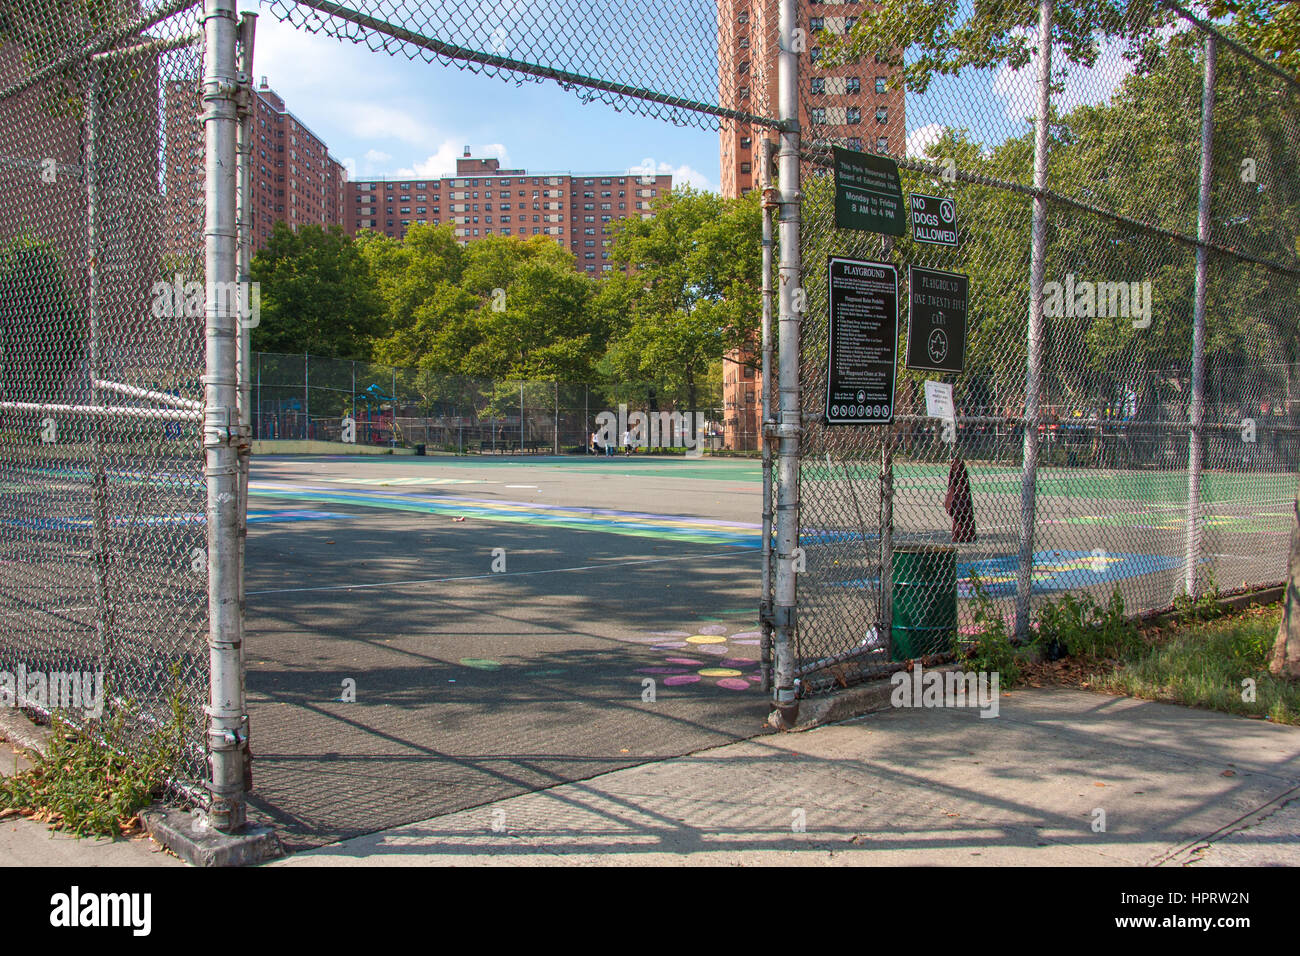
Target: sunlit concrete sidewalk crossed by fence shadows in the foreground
929	788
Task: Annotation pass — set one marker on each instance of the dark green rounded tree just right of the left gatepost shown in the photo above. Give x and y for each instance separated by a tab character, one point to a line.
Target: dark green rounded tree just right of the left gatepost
318	295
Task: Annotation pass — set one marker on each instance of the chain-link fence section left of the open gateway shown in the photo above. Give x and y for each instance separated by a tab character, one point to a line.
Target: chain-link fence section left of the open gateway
102	498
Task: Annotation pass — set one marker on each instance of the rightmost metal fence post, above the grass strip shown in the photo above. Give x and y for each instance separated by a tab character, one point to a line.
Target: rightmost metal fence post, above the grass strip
1197	410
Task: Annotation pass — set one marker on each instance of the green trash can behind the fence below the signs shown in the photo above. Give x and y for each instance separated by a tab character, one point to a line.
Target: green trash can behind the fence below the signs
925	600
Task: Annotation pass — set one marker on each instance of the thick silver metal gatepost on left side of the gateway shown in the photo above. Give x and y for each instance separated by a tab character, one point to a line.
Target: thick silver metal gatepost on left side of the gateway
222	431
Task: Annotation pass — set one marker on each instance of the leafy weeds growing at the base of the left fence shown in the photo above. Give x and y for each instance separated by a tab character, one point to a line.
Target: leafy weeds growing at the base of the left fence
89	781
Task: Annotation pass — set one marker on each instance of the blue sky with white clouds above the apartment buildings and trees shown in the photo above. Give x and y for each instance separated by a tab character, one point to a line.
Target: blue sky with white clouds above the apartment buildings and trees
385	115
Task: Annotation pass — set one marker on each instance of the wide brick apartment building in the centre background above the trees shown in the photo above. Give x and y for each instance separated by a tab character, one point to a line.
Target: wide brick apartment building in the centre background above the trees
578	211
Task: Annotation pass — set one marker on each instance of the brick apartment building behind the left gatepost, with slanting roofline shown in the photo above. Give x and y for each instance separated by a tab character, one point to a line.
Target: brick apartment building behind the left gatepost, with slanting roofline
294	179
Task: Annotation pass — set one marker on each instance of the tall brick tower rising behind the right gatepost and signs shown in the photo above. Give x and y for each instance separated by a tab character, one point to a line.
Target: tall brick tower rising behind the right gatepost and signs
859	106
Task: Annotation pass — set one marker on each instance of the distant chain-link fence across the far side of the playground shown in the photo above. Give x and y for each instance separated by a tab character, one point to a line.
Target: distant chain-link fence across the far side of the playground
304	397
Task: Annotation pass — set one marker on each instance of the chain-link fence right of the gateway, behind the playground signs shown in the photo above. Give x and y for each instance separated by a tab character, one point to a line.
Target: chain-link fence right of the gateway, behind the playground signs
1112	490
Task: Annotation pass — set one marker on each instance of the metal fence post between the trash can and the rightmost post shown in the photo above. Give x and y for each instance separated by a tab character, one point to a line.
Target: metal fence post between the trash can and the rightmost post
1034	339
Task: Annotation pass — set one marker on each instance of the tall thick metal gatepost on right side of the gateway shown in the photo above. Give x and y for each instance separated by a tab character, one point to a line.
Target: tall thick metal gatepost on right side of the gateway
785	607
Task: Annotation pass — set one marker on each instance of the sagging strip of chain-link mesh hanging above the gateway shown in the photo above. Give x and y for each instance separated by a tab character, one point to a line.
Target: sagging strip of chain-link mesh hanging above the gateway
657	60
